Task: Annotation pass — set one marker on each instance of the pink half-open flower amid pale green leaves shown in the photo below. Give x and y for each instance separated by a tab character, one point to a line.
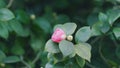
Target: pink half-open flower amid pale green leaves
58	35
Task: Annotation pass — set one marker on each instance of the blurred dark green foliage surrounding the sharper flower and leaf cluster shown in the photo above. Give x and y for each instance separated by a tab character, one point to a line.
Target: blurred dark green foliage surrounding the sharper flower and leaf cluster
23	37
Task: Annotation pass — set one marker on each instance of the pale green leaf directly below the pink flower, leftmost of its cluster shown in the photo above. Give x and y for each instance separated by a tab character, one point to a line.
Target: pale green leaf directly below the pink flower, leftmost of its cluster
52	47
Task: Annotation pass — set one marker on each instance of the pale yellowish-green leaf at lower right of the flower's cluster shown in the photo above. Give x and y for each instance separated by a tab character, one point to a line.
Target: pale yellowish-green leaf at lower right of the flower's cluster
83	50
